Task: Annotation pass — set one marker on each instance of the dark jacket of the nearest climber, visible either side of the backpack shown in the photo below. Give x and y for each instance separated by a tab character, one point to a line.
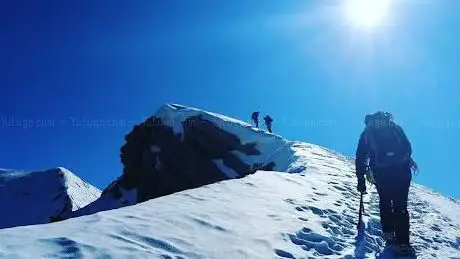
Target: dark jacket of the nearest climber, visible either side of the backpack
365	156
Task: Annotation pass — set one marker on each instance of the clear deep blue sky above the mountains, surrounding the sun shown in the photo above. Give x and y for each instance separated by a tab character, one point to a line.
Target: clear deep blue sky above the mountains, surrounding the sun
66	64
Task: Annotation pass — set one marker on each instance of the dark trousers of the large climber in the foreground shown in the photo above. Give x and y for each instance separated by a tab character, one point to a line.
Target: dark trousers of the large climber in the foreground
393	187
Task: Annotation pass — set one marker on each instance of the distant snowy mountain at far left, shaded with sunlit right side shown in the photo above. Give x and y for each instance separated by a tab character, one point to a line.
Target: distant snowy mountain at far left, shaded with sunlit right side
28	198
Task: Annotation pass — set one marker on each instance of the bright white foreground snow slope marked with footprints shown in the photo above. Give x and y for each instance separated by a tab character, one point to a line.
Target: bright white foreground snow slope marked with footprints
310	213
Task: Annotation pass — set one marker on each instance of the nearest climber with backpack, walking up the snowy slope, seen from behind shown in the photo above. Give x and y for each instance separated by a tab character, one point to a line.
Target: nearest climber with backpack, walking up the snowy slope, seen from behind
385	150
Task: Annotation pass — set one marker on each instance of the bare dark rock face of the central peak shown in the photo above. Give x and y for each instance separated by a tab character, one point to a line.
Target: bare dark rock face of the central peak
157	162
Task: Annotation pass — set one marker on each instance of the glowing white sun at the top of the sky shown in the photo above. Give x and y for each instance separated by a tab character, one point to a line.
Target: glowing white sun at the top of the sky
366	13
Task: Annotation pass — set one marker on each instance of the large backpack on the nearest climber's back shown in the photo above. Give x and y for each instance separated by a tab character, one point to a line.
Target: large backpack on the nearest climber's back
387	142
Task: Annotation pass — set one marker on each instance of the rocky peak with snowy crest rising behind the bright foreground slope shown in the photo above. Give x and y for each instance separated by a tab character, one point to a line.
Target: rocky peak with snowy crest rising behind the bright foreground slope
181	148
